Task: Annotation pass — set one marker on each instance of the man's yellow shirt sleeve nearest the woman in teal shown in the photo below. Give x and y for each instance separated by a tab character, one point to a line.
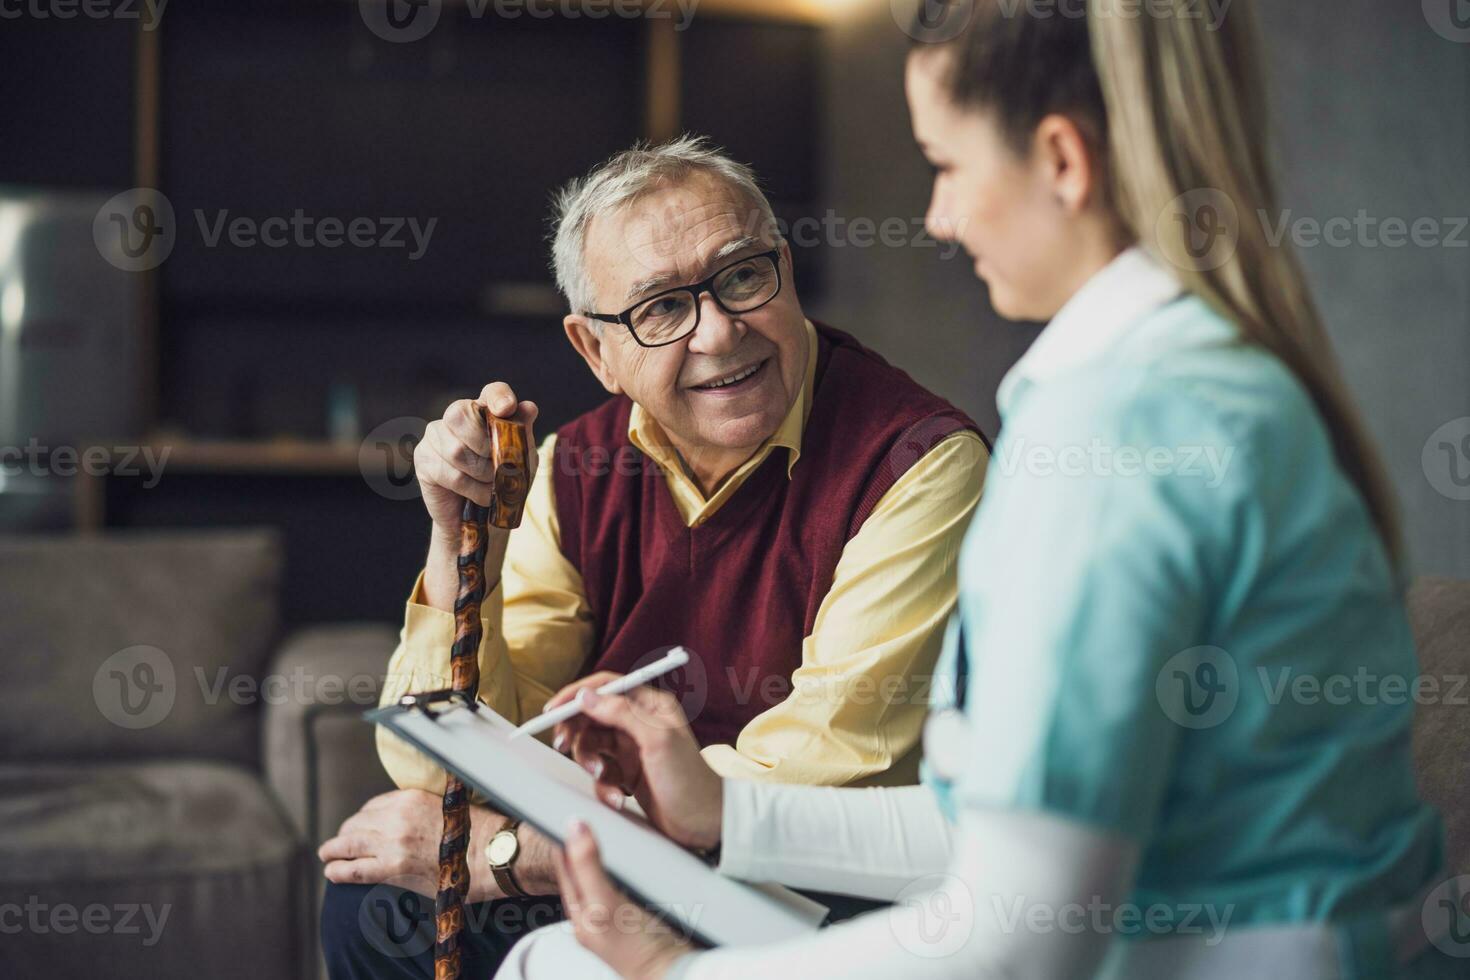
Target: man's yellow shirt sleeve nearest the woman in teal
859	697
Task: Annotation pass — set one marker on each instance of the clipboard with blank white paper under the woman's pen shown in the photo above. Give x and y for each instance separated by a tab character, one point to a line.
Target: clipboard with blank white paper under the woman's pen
528	781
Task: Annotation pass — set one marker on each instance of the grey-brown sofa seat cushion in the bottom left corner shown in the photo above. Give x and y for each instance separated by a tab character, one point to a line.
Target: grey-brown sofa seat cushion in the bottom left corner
148	871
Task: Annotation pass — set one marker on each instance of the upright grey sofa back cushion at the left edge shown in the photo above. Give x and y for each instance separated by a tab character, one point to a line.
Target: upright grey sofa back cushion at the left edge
136	646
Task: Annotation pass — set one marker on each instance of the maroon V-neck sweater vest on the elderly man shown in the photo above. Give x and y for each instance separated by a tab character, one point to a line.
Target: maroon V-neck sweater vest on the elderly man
743	590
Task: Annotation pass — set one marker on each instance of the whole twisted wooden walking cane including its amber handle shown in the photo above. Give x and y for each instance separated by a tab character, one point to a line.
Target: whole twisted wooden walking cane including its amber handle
509	456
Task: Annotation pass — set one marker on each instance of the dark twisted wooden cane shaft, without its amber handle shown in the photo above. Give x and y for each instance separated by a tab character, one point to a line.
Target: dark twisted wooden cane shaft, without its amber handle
449	904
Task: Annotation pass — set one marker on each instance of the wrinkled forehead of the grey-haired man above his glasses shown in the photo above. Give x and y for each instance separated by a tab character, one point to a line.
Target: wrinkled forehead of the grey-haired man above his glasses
670	236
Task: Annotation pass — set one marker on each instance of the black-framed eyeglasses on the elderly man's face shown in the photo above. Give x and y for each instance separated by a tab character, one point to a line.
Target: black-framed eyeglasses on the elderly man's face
670	317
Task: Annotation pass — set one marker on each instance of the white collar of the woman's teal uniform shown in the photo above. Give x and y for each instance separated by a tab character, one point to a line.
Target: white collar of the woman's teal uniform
1093	321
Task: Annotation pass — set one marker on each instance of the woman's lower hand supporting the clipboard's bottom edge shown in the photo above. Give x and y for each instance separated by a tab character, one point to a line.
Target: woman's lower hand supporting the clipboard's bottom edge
625	937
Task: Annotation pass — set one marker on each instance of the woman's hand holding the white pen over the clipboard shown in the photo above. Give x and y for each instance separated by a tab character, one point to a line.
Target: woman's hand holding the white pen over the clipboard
640	746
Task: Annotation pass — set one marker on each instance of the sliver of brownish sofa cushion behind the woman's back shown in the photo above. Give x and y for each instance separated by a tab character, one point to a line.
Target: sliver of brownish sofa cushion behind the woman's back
1440	612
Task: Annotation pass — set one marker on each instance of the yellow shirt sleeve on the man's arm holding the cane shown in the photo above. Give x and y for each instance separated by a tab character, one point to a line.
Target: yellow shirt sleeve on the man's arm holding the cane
537	634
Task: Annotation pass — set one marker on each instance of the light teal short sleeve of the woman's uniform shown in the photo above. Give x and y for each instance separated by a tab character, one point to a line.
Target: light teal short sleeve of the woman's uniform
1077	637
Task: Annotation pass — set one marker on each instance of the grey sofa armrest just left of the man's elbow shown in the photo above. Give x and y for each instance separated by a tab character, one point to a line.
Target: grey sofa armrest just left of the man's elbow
320	757
